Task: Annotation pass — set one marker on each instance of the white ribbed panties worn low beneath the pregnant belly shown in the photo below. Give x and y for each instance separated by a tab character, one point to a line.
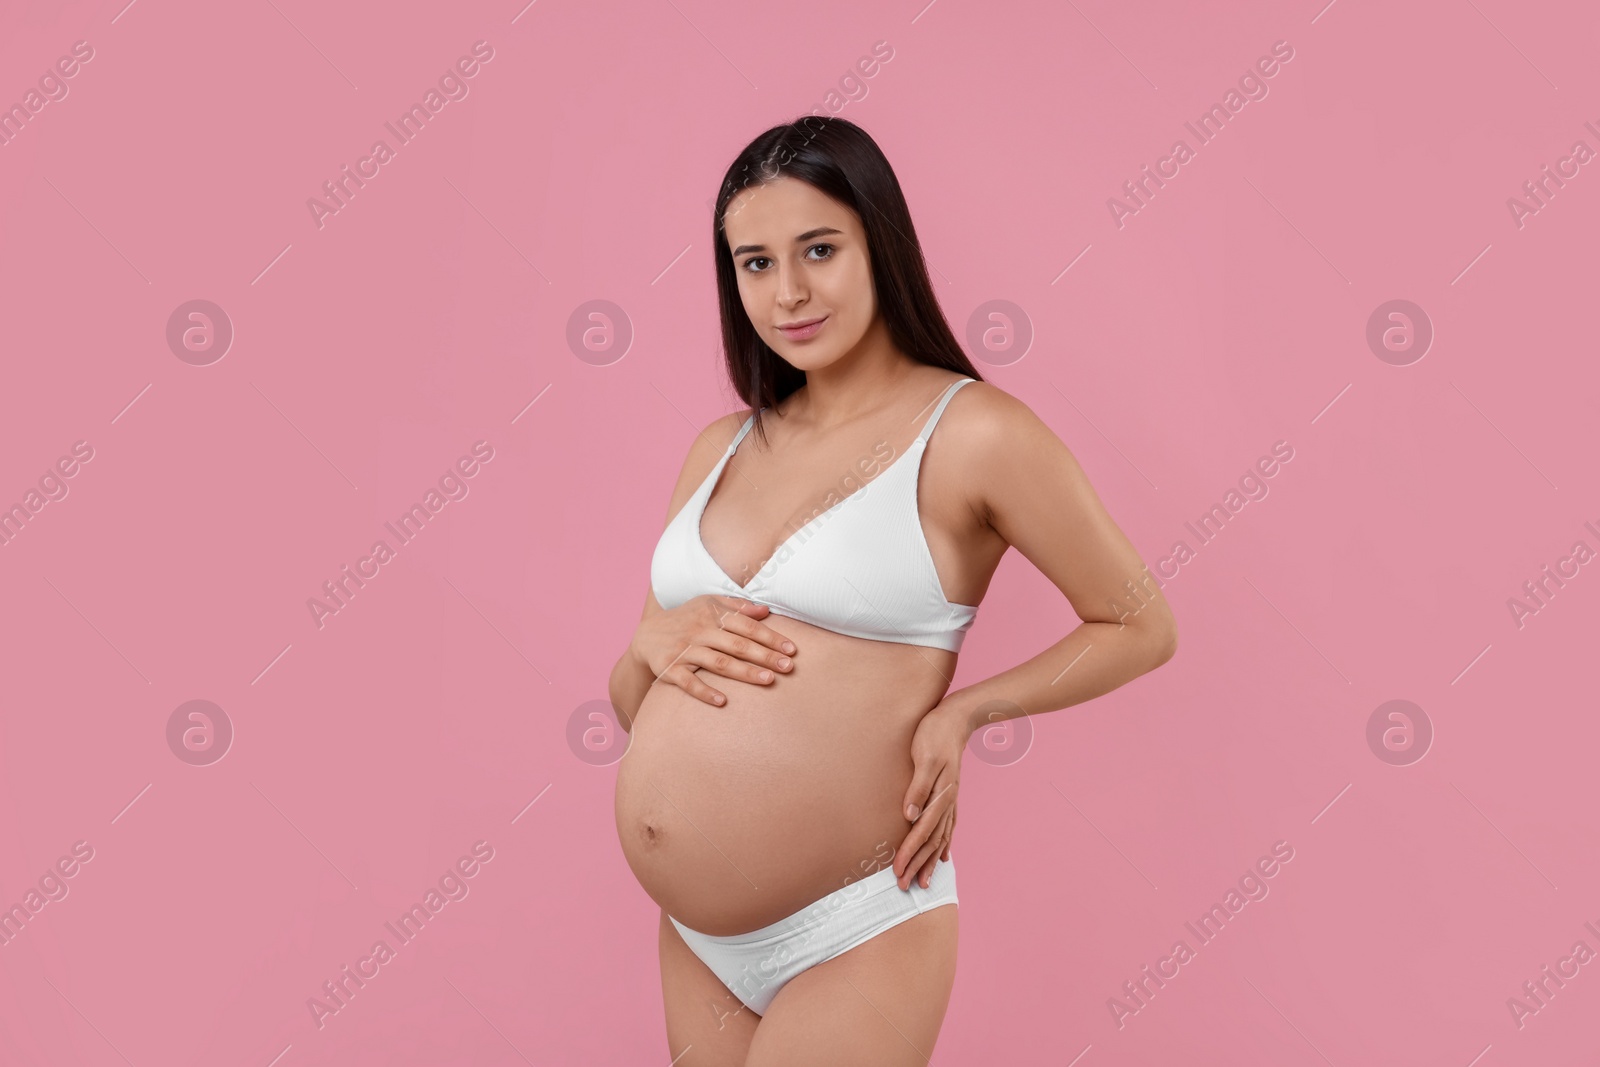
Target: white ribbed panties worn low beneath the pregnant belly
756	965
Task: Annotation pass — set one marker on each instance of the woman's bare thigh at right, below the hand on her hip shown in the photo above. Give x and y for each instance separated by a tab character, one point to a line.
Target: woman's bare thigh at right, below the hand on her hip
881	1004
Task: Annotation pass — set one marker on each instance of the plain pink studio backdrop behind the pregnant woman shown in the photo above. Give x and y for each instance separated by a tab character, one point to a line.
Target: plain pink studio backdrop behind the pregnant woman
434	310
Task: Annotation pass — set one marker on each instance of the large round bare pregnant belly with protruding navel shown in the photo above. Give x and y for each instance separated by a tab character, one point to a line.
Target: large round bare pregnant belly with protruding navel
737	817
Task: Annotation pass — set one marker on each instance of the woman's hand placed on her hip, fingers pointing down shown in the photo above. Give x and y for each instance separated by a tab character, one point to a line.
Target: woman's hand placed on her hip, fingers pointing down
930	802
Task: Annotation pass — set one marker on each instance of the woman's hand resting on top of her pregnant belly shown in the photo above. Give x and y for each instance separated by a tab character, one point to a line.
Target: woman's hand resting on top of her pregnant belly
718	634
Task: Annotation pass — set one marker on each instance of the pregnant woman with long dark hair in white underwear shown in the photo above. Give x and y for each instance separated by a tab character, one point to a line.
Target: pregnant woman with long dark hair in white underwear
790	789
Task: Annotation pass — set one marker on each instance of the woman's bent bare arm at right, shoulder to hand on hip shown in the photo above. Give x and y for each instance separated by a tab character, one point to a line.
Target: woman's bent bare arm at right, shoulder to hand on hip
1033	492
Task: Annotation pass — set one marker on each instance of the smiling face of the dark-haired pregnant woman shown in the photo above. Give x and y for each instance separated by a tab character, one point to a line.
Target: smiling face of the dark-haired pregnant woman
801	257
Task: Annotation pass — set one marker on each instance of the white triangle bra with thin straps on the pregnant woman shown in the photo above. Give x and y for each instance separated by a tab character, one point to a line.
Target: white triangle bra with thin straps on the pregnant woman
860	569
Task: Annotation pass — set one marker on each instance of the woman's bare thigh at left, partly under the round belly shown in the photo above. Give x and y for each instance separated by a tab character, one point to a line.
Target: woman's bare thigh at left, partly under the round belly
706	1025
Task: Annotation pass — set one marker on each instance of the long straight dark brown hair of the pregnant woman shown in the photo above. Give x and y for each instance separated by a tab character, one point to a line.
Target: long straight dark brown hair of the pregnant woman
839	159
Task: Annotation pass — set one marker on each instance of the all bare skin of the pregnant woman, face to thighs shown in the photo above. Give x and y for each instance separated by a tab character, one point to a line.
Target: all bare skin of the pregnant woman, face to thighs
847	759
